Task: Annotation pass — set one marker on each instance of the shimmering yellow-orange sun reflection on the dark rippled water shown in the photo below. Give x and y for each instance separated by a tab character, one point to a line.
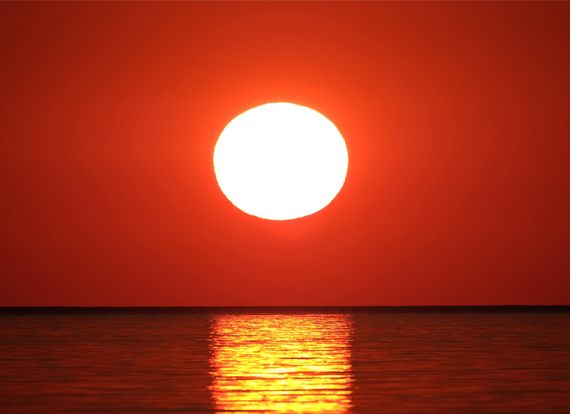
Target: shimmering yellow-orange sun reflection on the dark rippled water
285	363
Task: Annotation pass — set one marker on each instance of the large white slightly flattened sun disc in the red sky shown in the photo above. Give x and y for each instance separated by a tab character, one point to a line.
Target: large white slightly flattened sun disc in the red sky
280	161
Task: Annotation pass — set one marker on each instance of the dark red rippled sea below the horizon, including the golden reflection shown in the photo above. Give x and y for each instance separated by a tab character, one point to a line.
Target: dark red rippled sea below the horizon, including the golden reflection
344	361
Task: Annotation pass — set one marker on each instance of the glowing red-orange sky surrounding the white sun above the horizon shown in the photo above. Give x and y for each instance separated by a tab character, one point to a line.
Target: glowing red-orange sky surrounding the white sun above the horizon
455	115
